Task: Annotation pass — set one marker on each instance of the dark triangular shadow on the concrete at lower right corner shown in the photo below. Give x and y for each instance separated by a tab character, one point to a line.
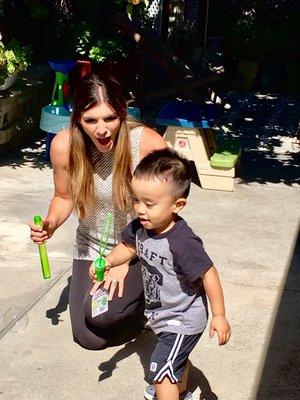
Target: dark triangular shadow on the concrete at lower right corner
280	378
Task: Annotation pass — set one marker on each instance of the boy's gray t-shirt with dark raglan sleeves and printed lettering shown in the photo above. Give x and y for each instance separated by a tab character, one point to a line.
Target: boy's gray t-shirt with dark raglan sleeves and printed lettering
171	264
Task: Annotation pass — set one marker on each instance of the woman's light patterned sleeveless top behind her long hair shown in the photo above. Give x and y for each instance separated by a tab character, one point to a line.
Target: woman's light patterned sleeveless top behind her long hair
88	233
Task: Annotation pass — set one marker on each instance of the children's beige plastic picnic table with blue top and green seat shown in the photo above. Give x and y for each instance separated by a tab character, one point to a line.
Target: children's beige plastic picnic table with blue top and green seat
189	132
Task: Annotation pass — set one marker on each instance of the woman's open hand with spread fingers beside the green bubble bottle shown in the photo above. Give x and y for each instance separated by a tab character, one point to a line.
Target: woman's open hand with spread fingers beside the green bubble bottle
112	278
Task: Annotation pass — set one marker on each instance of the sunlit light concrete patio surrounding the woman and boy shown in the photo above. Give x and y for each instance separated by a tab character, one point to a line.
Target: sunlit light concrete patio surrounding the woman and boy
252	236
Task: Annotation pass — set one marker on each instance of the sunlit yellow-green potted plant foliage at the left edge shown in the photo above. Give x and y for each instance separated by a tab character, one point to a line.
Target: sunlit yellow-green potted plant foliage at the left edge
13	58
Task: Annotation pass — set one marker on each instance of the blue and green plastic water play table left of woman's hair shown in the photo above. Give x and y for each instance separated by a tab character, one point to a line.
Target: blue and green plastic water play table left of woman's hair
56	116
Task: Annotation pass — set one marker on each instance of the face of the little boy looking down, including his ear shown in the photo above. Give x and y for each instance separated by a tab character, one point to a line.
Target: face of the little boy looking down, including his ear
154	203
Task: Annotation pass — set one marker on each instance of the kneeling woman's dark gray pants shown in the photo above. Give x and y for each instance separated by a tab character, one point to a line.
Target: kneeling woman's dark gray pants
122	322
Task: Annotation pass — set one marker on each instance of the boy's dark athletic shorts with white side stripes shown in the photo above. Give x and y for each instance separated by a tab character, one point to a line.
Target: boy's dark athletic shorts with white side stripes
170	355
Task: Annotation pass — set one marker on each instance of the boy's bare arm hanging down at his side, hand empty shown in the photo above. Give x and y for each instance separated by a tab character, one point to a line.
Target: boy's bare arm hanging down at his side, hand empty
213	289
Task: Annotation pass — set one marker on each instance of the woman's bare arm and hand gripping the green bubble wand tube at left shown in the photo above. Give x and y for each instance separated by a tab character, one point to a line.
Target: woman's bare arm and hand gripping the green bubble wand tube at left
60	206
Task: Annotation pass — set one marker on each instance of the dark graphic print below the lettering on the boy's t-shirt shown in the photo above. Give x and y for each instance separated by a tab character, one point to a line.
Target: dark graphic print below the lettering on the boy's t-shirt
152	279
